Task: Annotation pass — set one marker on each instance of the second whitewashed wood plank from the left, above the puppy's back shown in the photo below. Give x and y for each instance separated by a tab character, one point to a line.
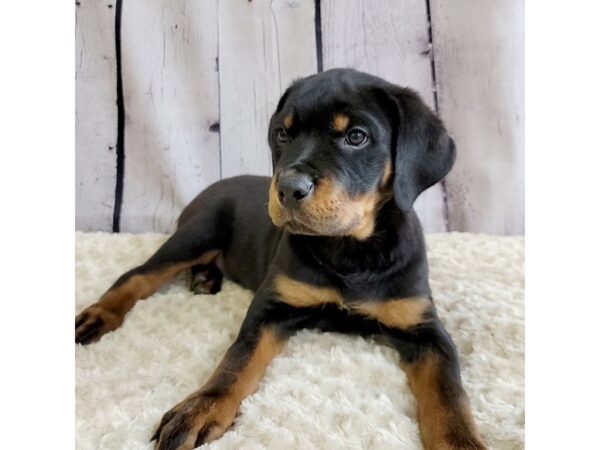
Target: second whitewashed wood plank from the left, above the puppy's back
170	82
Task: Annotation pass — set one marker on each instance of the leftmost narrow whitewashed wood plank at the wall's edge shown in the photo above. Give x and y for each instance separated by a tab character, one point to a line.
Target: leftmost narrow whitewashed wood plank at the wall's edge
95	115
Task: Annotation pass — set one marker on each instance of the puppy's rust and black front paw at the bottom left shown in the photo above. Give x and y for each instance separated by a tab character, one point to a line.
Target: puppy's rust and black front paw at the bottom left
199	419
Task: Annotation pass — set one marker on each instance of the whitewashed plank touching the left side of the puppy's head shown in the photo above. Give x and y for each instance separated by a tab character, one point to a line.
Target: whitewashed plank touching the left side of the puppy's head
263	47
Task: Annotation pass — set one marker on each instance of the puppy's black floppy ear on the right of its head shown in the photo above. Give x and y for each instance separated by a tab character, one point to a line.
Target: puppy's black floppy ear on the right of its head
424	153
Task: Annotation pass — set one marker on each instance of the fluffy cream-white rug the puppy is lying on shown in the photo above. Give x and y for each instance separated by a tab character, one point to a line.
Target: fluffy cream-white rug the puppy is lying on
325	391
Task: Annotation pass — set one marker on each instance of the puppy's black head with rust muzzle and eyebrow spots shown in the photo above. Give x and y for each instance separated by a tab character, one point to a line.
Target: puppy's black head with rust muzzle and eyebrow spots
345	142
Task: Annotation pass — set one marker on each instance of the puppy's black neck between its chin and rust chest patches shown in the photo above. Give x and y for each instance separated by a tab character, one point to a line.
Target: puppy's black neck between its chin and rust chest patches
395	246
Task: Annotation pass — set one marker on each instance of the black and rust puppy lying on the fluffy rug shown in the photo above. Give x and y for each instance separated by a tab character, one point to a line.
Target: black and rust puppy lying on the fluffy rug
341	249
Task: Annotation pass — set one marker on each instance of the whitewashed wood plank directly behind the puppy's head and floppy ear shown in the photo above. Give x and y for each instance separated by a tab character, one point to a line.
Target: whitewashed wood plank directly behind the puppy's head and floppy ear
388	39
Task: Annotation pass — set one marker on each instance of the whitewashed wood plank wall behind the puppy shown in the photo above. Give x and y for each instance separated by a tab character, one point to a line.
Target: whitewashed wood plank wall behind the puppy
200	78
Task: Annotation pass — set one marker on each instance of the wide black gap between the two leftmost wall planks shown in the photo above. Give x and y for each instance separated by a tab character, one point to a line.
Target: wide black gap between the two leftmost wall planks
120	123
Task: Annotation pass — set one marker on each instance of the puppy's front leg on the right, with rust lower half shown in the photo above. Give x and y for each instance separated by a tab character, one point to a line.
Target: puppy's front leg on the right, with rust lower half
431	364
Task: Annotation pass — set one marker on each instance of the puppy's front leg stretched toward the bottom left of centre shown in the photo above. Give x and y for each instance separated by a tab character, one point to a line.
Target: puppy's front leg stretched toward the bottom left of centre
206	414
